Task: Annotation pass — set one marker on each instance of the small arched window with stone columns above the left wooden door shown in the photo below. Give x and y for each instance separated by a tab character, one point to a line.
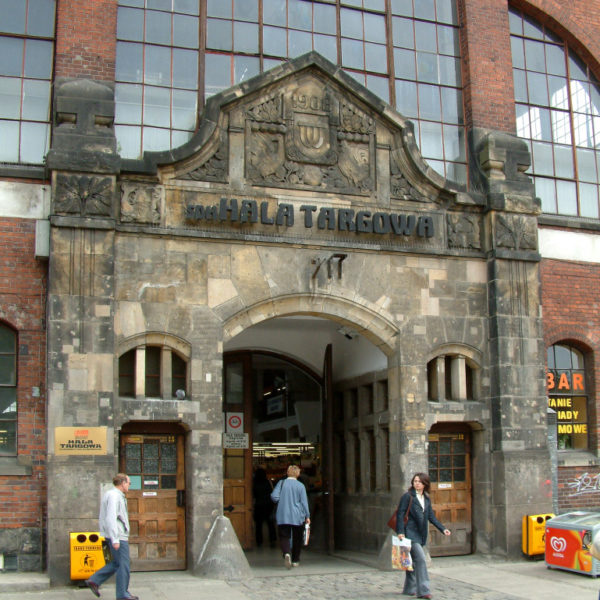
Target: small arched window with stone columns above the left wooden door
150	369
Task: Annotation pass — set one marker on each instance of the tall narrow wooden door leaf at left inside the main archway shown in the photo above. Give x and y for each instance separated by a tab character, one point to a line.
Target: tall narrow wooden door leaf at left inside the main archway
237	462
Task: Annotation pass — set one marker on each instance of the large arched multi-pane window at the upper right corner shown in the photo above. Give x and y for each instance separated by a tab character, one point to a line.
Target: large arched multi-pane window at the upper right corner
557	102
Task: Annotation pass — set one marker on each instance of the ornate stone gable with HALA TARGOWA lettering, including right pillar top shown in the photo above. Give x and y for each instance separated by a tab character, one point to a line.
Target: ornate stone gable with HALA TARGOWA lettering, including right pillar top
303	152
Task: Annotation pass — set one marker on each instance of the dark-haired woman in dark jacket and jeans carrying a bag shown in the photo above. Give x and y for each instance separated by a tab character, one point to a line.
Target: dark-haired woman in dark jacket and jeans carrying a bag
420	513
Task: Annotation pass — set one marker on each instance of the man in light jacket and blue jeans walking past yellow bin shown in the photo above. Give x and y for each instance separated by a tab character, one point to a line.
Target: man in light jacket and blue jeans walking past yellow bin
114	526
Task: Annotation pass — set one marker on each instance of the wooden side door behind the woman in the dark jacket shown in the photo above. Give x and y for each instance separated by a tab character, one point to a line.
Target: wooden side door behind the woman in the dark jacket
450	473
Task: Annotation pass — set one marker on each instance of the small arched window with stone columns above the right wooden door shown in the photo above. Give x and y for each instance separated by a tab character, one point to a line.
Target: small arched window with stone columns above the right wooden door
452	376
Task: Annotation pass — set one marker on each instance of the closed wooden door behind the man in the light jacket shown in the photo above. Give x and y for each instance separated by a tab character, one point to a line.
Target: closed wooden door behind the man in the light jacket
156	500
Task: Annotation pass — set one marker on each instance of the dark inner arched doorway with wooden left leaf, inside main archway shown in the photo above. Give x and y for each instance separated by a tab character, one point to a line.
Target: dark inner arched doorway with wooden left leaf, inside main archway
273	408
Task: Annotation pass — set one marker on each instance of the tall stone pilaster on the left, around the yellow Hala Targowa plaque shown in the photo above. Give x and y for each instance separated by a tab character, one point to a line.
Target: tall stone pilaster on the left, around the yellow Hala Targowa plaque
84	166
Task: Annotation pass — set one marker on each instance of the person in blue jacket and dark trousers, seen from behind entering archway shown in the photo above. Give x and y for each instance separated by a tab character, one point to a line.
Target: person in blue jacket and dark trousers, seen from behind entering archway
292	514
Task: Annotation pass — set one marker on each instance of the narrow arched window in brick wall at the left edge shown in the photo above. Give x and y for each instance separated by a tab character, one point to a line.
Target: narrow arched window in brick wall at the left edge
8	391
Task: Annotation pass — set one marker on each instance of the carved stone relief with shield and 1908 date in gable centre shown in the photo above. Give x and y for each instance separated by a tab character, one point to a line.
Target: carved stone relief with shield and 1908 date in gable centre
310	137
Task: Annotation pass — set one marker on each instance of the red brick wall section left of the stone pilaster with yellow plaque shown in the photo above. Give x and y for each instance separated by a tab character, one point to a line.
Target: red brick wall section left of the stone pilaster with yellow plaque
23	308
